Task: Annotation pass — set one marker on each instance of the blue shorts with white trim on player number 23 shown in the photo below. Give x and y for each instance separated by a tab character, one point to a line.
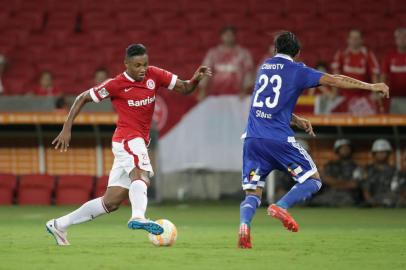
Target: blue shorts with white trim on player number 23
262	156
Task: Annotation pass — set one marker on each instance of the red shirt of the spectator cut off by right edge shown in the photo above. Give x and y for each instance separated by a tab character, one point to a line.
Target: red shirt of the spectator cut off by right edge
394	66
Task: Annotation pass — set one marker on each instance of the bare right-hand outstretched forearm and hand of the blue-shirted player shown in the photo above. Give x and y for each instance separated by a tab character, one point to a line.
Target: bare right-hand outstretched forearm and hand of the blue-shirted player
341	81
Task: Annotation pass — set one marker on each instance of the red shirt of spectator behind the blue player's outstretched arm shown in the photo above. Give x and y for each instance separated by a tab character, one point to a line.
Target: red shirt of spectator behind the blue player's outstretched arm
361	66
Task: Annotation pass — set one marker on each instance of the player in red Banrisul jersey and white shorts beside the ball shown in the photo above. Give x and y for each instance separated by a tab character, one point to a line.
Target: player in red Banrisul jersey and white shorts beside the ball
132	94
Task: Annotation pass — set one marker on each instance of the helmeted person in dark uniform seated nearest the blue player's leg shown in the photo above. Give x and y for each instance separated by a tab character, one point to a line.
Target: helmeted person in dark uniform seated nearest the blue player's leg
341	178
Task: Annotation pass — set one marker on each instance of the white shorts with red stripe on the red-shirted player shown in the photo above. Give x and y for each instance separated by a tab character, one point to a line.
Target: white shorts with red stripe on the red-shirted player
127	156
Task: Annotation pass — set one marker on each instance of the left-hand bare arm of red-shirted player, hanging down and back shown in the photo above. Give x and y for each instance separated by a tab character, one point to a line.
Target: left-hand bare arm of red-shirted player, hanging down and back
62	140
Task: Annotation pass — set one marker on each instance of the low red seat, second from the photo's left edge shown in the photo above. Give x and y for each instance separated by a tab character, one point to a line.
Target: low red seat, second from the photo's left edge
35	189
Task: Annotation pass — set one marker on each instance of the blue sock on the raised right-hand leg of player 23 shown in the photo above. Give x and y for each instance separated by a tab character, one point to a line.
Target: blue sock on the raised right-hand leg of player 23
299	193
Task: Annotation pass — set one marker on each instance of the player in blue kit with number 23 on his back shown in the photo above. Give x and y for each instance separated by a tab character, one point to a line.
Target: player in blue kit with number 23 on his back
269	142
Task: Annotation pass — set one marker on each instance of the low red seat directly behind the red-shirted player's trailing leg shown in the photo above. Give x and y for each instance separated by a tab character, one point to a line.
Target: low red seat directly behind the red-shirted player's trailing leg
74	189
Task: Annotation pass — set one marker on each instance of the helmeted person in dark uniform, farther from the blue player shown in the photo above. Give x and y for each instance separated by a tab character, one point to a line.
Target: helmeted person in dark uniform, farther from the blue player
380	177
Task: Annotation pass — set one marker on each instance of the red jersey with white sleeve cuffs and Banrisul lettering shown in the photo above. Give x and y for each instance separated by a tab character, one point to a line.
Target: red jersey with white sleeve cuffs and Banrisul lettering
133	101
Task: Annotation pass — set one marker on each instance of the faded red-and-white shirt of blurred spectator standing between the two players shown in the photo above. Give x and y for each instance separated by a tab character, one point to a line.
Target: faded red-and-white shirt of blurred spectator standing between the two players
230	66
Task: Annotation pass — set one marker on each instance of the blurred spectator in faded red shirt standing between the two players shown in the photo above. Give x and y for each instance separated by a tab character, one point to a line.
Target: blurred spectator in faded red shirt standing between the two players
232	67
